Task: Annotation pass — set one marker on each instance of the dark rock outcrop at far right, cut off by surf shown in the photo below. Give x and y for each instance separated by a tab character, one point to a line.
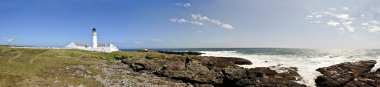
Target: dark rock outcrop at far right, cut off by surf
348	74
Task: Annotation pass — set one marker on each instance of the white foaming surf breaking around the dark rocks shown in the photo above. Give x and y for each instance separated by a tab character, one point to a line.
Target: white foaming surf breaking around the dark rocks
306	71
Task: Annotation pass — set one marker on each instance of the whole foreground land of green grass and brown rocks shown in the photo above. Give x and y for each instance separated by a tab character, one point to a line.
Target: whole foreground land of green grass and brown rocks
138	68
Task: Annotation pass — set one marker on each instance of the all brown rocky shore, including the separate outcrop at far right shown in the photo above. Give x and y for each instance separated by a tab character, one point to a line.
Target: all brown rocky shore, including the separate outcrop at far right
202	71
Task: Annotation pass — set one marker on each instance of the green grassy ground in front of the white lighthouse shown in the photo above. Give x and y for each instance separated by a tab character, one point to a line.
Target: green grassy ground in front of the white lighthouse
48	67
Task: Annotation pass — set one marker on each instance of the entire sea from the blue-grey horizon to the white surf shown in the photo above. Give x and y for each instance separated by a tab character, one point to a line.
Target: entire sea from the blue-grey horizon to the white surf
306	60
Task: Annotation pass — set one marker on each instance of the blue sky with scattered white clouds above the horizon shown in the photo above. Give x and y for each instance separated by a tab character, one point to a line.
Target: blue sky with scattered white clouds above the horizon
351	24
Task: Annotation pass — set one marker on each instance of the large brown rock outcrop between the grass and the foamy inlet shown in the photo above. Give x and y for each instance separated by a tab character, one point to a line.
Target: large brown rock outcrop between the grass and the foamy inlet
212	71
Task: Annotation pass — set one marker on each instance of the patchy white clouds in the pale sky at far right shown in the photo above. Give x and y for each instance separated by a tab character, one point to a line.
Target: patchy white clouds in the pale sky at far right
344	19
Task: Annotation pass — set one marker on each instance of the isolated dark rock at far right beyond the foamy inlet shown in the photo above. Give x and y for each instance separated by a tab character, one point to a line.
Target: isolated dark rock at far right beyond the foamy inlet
340	74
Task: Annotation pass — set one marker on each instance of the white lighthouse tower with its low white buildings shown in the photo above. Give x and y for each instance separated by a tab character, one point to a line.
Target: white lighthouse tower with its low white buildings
95	46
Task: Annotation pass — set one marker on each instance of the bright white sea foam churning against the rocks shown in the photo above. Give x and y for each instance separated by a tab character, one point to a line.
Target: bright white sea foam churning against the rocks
306	66
